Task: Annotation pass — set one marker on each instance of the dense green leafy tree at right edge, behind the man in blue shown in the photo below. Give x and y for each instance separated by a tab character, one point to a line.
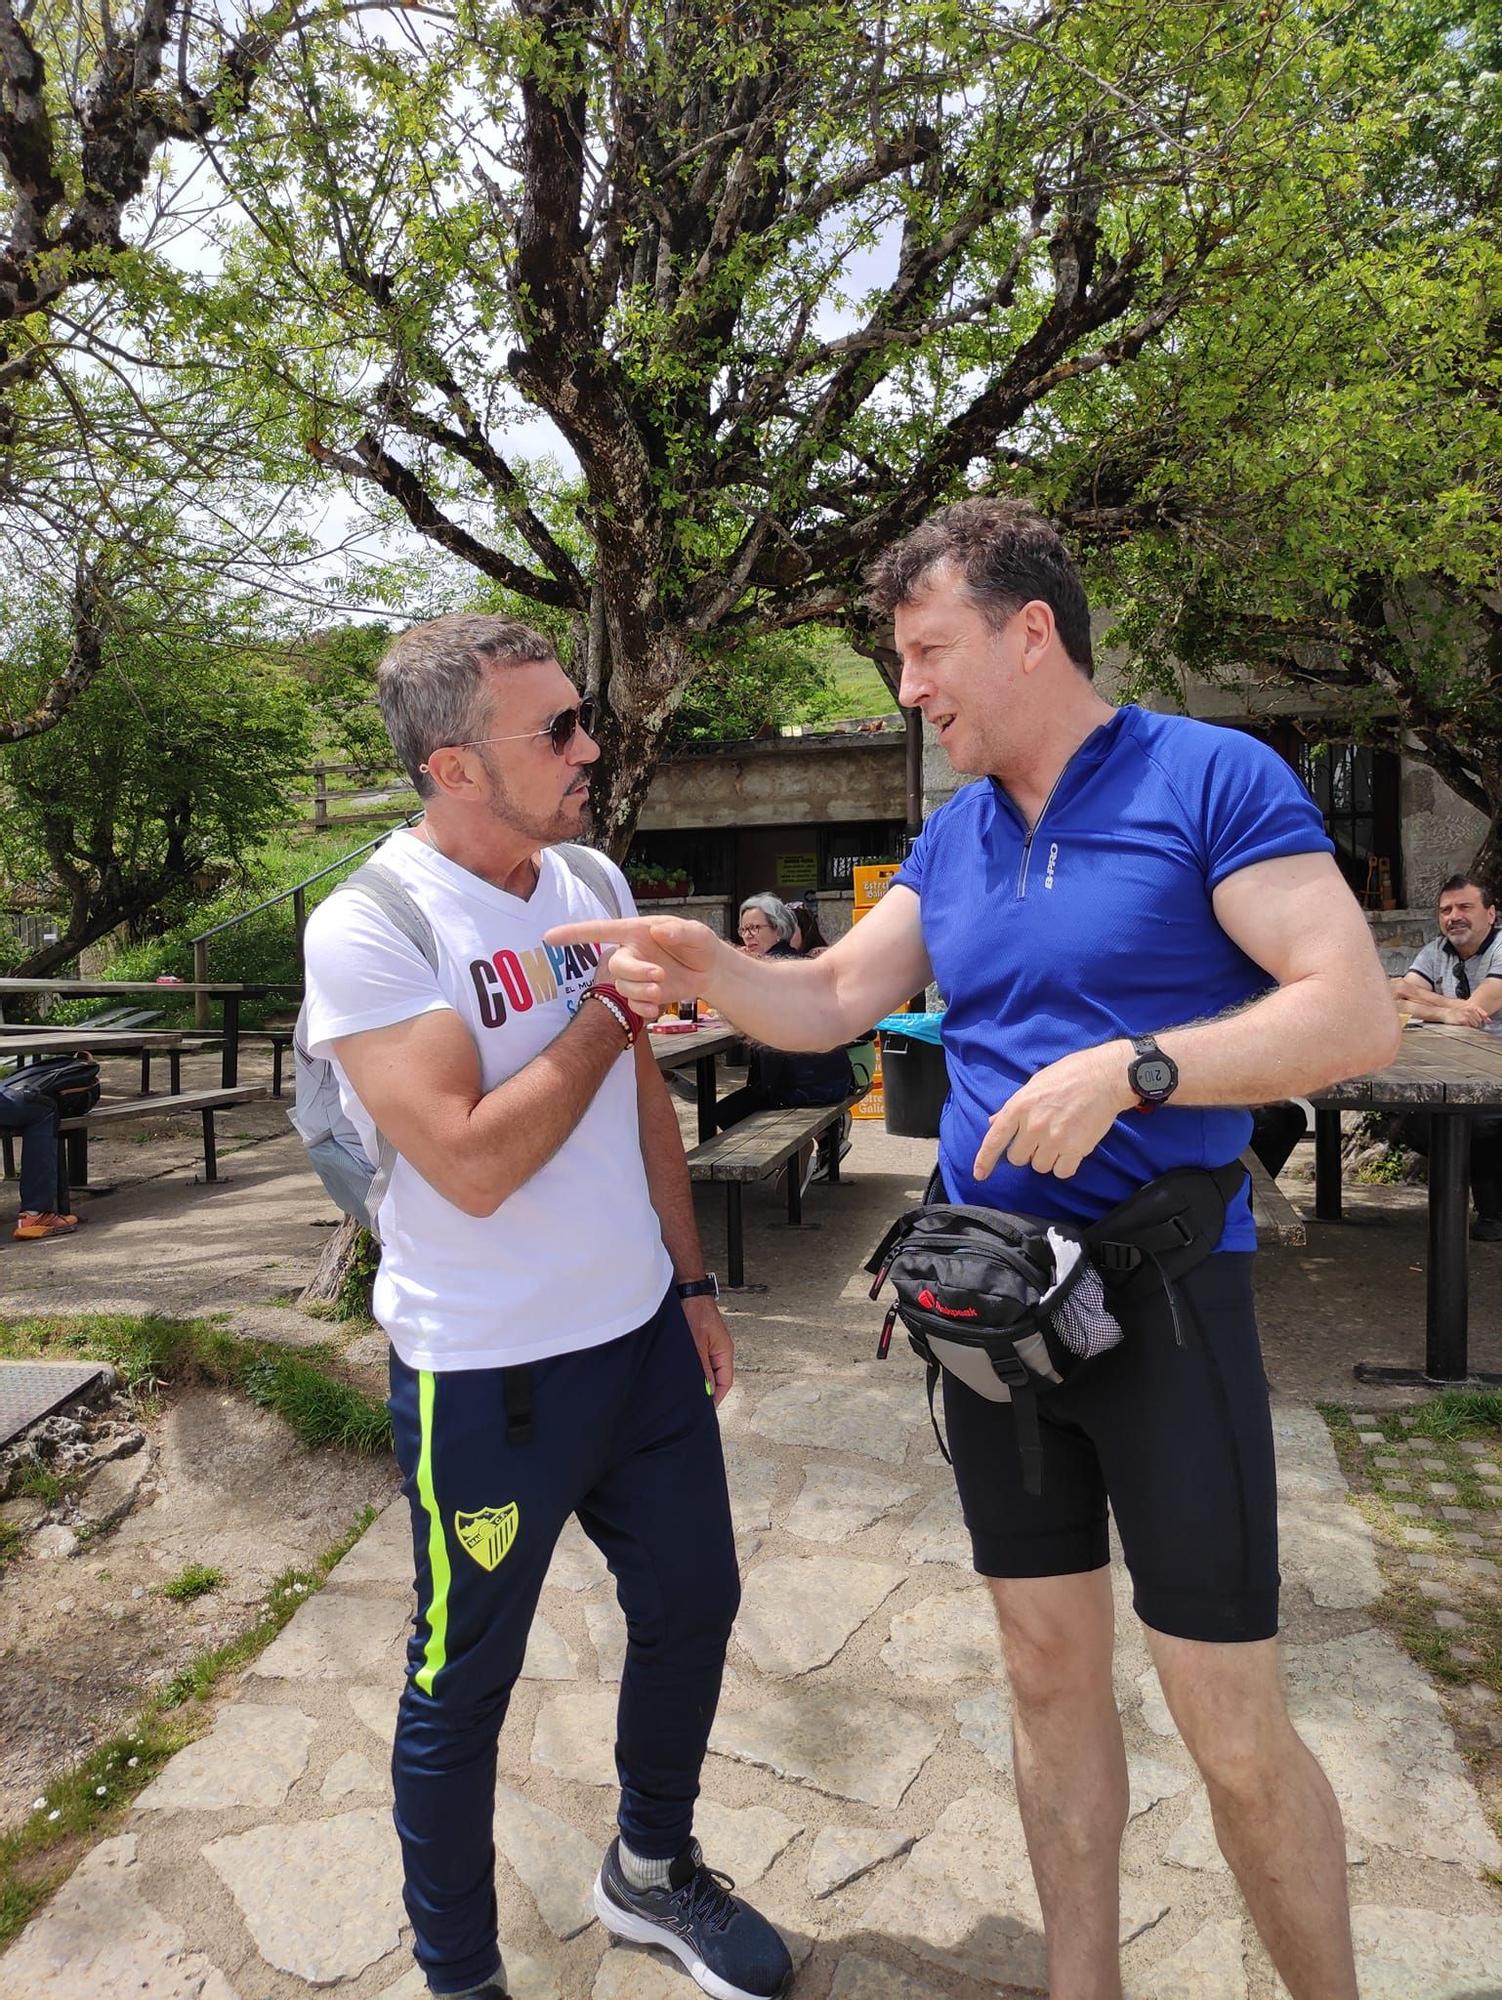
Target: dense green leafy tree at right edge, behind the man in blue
1311	485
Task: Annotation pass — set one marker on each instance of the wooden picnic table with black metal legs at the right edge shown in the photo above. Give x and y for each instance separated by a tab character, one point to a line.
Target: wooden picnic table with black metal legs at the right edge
1449	1075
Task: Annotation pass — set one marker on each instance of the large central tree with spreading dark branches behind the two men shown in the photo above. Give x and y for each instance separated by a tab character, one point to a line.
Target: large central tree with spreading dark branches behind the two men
781	275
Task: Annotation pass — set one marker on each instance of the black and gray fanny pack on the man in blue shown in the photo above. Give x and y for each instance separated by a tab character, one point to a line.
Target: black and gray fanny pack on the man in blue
1017	1305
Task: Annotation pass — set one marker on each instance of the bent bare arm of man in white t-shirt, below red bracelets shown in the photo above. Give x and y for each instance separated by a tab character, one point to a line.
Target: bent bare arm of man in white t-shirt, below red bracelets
421	1085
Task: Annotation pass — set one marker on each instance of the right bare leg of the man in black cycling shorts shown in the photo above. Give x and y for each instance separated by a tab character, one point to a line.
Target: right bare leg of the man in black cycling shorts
1277	1819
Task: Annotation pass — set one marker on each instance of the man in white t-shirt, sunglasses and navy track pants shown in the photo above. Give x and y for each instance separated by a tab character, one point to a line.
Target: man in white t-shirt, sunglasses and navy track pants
541	1281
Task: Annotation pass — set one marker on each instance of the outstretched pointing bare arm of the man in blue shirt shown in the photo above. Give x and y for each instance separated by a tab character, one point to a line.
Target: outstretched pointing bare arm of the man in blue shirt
805	1005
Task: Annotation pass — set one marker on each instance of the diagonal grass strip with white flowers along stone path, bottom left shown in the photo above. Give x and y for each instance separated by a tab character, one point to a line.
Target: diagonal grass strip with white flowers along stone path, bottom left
83	1803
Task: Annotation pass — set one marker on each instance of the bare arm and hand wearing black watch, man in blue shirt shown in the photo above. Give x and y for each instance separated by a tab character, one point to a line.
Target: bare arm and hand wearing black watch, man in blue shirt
1331	1017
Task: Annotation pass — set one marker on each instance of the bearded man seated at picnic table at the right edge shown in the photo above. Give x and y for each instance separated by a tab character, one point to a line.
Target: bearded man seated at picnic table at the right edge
1457	979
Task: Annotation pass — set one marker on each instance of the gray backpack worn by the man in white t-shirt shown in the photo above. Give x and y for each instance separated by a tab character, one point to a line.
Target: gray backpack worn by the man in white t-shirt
355	1185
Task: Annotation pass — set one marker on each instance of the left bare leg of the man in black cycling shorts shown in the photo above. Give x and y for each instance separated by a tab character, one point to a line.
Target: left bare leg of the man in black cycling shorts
1071	1769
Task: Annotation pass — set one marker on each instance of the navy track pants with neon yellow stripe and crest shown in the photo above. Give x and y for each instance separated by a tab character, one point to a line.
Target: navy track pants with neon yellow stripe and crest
625	1437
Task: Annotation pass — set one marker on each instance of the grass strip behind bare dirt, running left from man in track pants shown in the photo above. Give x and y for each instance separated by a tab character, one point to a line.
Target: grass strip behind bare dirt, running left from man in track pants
301	1385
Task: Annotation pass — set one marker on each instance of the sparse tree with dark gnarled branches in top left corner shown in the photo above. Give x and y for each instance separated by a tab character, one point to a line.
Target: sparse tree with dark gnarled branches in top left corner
91	101
